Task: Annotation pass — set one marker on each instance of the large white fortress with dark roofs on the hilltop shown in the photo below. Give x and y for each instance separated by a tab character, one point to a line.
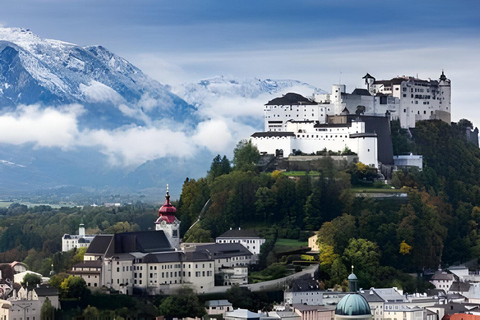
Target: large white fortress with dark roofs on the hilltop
357	122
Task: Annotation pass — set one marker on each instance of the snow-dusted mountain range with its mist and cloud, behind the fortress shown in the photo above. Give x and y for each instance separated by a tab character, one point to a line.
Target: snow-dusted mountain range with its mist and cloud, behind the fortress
85	117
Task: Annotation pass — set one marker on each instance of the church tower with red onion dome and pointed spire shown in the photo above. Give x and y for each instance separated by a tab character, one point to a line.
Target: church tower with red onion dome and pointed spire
168	222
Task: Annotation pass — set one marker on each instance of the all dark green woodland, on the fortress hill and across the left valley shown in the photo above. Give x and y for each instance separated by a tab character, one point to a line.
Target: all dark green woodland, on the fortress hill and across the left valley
437	224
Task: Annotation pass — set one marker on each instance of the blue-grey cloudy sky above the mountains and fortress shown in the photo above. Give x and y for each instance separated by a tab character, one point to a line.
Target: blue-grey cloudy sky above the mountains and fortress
319	42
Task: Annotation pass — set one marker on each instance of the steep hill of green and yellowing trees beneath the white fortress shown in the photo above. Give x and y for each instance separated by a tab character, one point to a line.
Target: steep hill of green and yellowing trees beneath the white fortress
438	224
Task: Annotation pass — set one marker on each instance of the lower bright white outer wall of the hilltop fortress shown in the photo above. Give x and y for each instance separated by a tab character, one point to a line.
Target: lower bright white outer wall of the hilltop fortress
310	138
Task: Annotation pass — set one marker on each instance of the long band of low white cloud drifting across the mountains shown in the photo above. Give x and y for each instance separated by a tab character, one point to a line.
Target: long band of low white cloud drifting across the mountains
127	146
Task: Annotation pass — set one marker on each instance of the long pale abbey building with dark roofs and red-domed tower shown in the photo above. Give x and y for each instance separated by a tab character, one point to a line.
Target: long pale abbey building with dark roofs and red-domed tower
153	262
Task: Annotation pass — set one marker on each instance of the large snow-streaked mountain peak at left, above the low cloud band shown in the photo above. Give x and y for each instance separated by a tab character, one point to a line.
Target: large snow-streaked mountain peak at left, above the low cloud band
51	72
